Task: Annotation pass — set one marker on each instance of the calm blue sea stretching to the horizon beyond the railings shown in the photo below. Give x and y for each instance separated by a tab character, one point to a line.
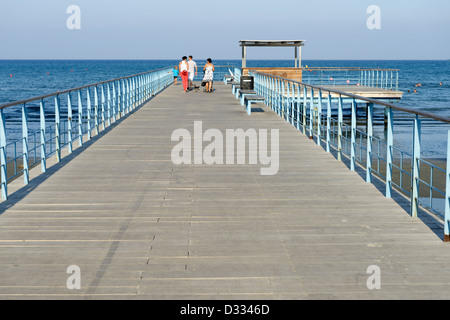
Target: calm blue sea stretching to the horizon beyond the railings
23	79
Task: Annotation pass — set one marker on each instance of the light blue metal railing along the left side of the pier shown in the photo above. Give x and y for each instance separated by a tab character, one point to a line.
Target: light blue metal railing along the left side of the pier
77	114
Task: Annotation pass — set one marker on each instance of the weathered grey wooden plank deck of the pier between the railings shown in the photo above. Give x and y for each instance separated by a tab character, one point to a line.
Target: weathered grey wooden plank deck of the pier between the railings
140	227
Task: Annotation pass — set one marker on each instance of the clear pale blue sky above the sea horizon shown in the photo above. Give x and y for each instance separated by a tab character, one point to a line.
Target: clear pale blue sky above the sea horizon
169	29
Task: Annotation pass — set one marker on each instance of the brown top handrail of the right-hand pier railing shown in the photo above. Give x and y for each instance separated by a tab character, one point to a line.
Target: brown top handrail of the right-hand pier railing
369	100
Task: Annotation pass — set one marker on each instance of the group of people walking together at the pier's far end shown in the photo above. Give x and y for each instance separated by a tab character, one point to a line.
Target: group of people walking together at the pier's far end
187	70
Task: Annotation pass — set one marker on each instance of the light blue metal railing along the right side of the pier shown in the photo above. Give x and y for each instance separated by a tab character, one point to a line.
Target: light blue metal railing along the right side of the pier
303	106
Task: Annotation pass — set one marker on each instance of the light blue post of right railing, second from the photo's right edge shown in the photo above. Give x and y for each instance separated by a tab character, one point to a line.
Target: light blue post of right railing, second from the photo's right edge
415	183
